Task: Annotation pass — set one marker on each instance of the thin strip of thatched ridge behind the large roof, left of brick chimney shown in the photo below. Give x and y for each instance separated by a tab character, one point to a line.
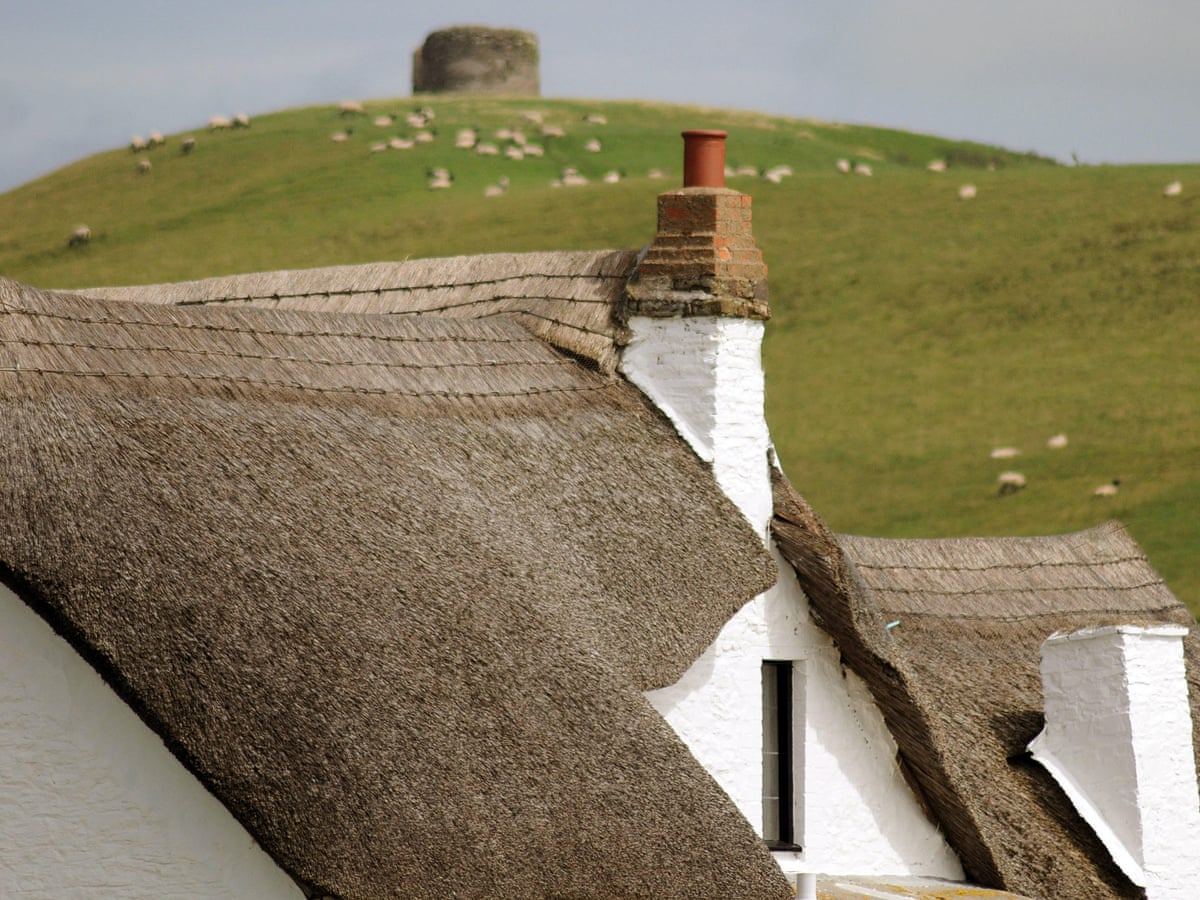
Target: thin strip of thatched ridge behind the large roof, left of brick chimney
565	298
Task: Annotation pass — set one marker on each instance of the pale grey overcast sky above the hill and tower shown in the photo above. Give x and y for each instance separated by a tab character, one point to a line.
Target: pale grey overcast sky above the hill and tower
1111	81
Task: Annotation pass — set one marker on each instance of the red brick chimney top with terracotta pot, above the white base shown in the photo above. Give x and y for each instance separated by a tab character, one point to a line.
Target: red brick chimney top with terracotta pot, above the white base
704	260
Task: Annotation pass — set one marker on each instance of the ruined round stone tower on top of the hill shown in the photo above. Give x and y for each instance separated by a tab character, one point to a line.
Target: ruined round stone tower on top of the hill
472	59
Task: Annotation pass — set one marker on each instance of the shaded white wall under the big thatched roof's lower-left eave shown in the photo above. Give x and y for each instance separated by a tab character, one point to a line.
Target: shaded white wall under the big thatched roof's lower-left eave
93	803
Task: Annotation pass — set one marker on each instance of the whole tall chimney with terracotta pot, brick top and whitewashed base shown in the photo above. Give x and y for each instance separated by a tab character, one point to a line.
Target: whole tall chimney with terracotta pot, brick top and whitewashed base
695	310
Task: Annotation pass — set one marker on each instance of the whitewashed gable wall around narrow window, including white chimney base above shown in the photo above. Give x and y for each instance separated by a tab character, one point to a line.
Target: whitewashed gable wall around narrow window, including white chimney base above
855	812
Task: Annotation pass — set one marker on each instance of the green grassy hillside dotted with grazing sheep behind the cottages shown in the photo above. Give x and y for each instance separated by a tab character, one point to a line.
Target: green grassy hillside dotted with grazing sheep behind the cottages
913	332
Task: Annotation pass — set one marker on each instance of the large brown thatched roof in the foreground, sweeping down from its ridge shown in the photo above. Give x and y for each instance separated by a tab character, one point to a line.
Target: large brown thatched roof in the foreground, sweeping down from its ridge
391	587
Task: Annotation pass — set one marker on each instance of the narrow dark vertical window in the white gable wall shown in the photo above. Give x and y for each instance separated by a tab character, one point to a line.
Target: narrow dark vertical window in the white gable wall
778	797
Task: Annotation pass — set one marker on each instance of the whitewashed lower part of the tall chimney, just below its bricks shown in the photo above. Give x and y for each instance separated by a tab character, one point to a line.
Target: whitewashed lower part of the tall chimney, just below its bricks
705	374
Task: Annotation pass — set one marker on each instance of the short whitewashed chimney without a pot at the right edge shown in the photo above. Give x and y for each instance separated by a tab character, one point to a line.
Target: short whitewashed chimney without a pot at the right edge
1118	740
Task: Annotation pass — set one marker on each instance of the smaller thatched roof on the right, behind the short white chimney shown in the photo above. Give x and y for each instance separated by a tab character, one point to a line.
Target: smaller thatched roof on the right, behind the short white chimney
947	635
